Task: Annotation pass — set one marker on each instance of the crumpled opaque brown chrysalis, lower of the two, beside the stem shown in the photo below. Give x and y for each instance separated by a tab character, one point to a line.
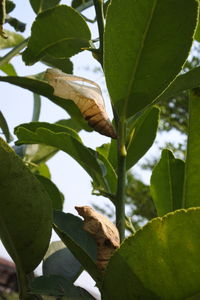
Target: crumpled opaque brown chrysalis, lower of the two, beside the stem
103	230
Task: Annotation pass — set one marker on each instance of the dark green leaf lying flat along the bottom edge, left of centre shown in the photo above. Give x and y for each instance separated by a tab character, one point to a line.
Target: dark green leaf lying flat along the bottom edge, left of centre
58	286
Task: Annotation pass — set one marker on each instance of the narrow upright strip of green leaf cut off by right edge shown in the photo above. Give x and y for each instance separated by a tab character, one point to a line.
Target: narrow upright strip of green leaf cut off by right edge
192	171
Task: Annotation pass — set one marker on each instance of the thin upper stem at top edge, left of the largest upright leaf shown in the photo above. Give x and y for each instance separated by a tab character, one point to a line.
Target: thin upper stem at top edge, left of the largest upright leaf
98	4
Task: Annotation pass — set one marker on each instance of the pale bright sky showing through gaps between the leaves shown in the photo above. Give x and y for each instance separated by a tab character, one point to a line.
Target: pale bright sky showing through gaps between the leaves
17	103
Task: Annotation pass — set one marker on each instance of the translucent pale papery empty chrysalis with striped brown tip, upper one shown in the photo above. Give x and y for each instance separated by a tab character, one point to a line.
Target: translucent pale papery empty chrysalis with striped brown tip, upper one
89	99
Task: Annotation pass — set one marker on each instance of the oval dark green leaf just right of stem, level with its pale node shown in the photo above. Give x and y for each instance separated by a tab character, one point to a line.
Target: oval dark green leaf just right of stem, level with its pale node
143	136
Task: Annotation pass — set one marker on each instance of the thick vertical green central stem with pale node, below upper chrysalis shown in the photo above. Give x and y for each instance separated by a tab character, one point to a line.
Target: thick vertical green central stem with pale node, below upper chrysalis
120	196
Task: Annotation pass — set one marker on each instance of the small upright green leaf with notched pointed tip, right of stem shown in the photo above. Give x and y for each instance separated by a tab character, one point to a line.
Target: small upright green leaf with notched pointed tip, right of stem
167	182
